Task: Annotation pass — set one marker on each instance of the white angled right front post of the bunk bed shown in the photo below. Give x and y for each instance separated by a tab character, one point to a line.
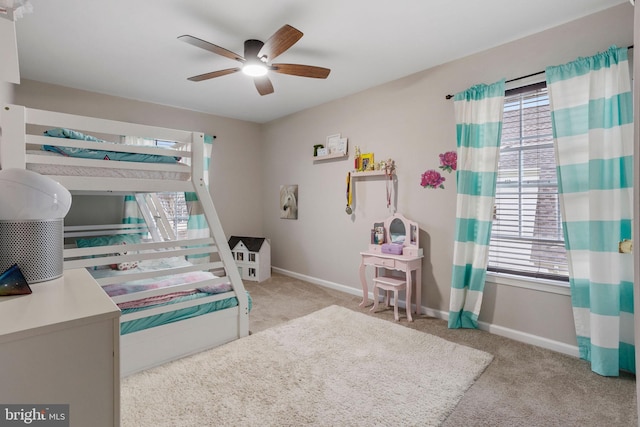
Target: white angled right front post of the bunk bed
215	228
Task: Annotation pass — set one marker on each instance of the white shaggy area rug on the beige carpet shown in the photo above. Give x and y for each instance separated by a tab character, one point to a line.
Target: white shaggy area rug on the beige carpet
334	367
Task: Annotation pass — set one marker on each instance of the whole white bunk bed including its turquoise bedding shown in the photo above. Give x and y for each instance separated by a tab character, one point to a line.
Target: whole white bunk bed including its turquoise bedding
171	307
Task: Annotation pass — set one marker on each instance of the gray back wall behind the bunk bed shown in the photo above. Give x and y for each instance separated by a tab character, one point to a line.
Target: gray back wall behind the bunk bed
235	164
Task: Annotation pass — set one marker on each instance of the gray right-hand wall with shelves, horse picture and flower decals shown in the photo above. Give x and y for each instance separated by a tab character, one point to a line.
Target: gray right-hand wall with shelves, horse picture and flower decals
410	121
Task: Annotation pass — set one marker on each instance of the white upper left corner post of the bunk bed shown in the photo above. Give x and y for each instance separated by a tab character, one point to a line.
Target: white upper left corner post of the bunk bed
12	147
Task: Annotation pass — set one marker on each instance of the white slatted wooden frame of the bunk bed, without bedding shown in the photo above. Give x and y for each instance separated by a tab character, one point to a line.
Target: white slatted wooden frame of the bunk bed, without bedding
22	129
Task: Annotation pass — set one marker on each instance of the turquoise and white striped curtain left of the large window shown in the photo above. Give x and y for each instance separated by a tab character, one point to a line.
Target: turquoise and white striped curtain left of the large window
478	113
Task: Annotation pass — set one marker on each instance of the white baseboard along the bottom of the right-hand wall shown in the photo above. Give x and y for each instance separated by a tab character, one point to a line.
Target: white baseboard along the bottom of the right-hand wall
513	334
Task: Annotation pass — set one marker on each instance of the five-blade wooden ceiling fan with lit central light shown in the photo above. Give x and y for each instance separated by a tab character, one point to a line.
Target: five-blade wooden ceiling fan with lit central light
257	59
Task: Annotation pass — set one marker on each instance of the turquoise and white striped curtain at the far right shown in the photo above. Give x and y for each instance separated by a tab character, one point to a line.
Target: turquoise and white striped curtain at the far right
592	113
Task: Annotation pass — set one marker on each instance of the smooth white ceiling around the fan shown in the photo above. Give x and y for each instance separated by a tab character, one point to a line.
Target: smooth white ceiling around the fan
130	49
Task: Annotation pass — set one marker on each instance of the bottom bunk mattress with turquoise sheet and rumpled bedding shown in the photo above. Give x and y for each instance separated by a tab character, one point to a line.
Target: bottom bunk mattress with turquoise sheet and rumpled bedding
124	294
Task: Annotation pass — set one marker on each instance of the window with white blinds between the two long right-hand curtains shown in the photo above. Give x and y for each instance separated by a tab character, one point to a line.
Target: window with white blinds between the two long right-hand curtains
526	236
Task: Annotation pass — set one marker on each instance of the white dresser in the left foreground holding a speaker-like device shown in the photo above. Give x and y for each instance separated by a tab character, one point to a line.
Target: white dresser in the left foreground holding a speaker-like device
60	345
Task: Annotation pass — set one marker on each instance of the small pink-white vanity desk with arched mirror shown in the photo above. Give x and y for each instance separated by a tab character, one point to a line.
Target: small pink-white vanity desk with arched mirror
405	232
